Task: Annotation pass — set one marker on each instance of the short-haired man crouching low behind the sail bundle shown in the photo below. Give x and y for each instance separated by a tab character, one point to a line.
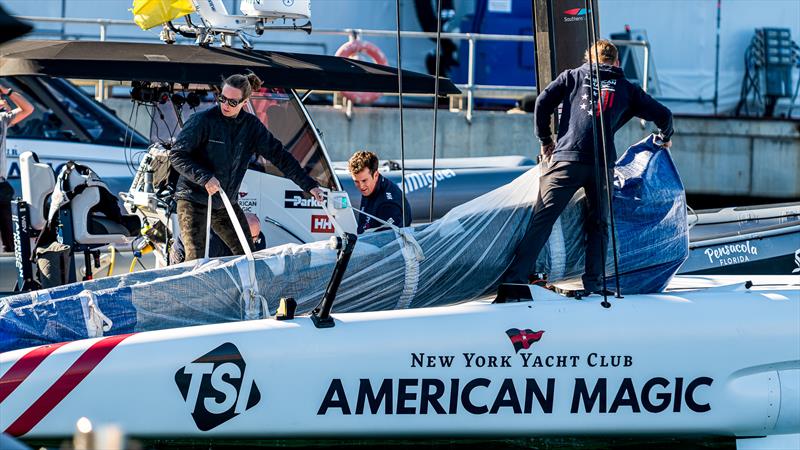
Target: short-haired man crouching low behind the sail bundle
379	196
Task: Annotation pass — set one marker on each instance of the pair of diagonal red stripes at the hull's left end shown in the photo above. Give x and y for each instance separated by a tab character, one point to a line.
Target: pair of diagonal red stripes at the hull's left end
61	388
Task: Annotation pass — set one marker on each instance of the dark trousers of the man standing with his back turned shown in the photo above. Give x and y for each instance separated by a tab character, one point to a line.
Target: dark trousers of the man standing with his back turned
557	185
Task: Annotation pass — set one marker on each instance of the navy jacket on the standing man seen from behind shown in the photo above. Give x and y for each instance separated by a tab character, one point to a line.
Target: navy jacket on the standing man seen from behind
621	101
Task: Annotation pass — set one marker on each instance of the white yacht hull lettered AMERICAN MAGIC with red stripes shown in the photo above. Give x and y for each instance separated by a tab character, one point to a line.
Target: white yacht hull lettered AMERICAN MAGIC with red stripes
721	361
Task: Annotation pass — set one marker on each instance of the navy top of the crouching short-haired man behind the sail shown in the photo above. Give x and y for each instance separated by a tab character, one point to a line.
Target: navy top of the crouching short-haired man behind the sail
383	203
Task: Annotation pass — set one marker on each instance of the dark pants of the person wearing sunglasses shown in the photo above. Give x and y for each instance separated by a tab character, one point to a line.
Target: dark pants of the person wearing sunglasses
192	222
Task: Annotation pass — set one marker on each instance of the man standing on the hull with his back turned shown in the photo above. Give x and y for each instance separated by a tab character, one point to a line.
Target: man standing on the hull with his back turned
569	162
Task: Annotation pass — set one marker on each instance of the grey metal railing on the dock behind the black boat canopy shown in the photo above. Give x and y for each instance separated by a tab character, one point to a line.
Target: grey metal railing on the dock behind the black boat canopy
471	89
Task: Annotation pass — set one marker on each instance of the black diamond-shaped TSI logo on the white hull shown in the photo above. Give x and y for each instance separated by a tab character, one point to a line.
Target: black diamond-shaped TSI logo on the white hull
216	387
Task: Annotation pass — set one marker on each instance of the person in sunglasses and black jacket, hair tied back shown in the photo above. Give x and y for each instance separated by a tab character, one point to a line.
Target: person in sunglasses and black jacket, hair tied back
212	152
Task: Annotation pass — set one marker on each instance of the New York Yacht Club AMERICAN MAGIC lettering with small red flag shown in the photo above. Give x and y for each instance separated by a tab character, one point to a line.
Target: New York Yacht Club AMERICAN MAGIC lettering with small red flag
442	395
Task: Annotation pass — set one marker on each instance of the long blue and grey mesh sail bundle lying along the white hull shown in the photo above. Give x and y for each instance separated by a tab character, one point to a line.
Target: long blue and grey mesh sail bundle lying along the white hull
465	254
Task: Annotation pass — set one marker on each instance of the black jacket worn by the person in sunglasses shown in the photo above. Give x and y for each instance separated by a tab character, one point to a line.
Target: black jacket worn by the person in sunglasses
214	145
